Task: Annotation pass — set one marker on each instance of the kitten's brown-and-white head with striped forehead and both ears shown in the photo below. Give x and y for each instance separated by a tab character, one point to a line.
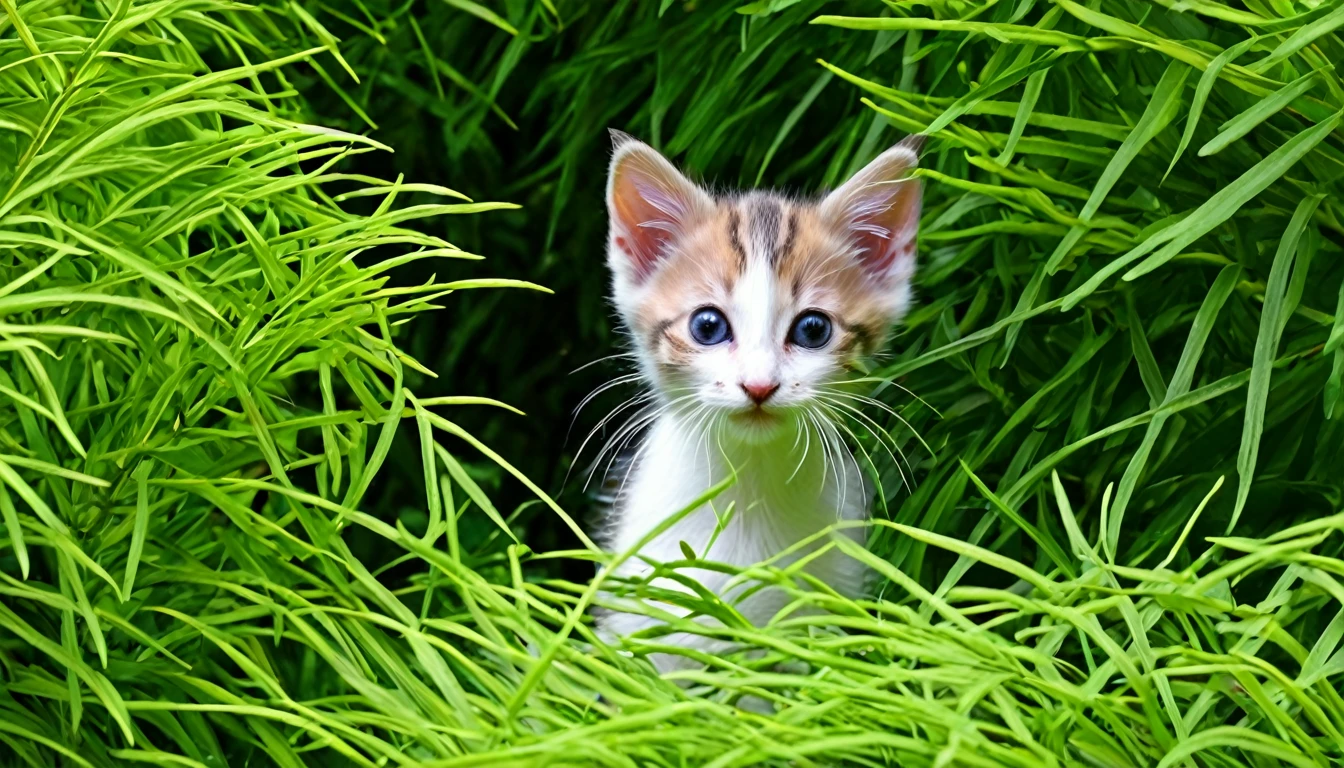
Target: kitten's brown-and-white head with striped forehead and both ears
747	307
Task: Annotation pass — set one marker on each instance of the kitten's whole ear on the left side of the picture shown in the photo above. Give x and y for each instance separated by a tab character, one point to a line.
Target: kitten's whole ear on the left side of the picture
650	204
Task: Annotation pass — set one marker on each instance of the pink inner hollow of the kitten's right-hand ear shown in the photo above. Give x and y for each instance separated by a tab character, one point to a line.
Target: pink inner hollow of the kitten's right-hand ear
884	221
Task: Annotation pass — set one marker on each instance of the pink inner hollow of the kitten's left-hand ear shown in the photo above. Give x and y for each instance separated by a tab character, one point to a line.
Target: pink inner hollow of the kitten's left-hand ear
647	210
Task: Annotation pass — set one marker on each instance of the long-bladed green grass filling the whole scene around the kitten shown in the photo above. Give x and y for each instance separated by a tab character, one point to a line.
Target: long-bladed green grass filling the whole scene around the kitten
243	525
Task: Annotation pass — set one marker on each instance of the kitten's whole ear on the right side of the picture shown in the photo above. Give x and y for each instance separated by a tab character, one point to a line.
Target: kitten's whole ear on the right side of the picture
880	208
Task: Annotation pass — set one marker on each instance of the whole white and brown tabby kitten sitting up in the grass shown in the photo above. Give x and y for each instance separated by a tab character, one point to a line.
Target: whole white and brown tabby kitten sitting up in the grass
744	313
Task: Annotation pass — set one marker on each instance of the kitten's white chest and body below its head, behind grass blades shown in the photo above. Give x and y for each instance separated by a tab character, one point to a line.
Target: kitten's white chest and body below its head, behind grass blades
787	490
